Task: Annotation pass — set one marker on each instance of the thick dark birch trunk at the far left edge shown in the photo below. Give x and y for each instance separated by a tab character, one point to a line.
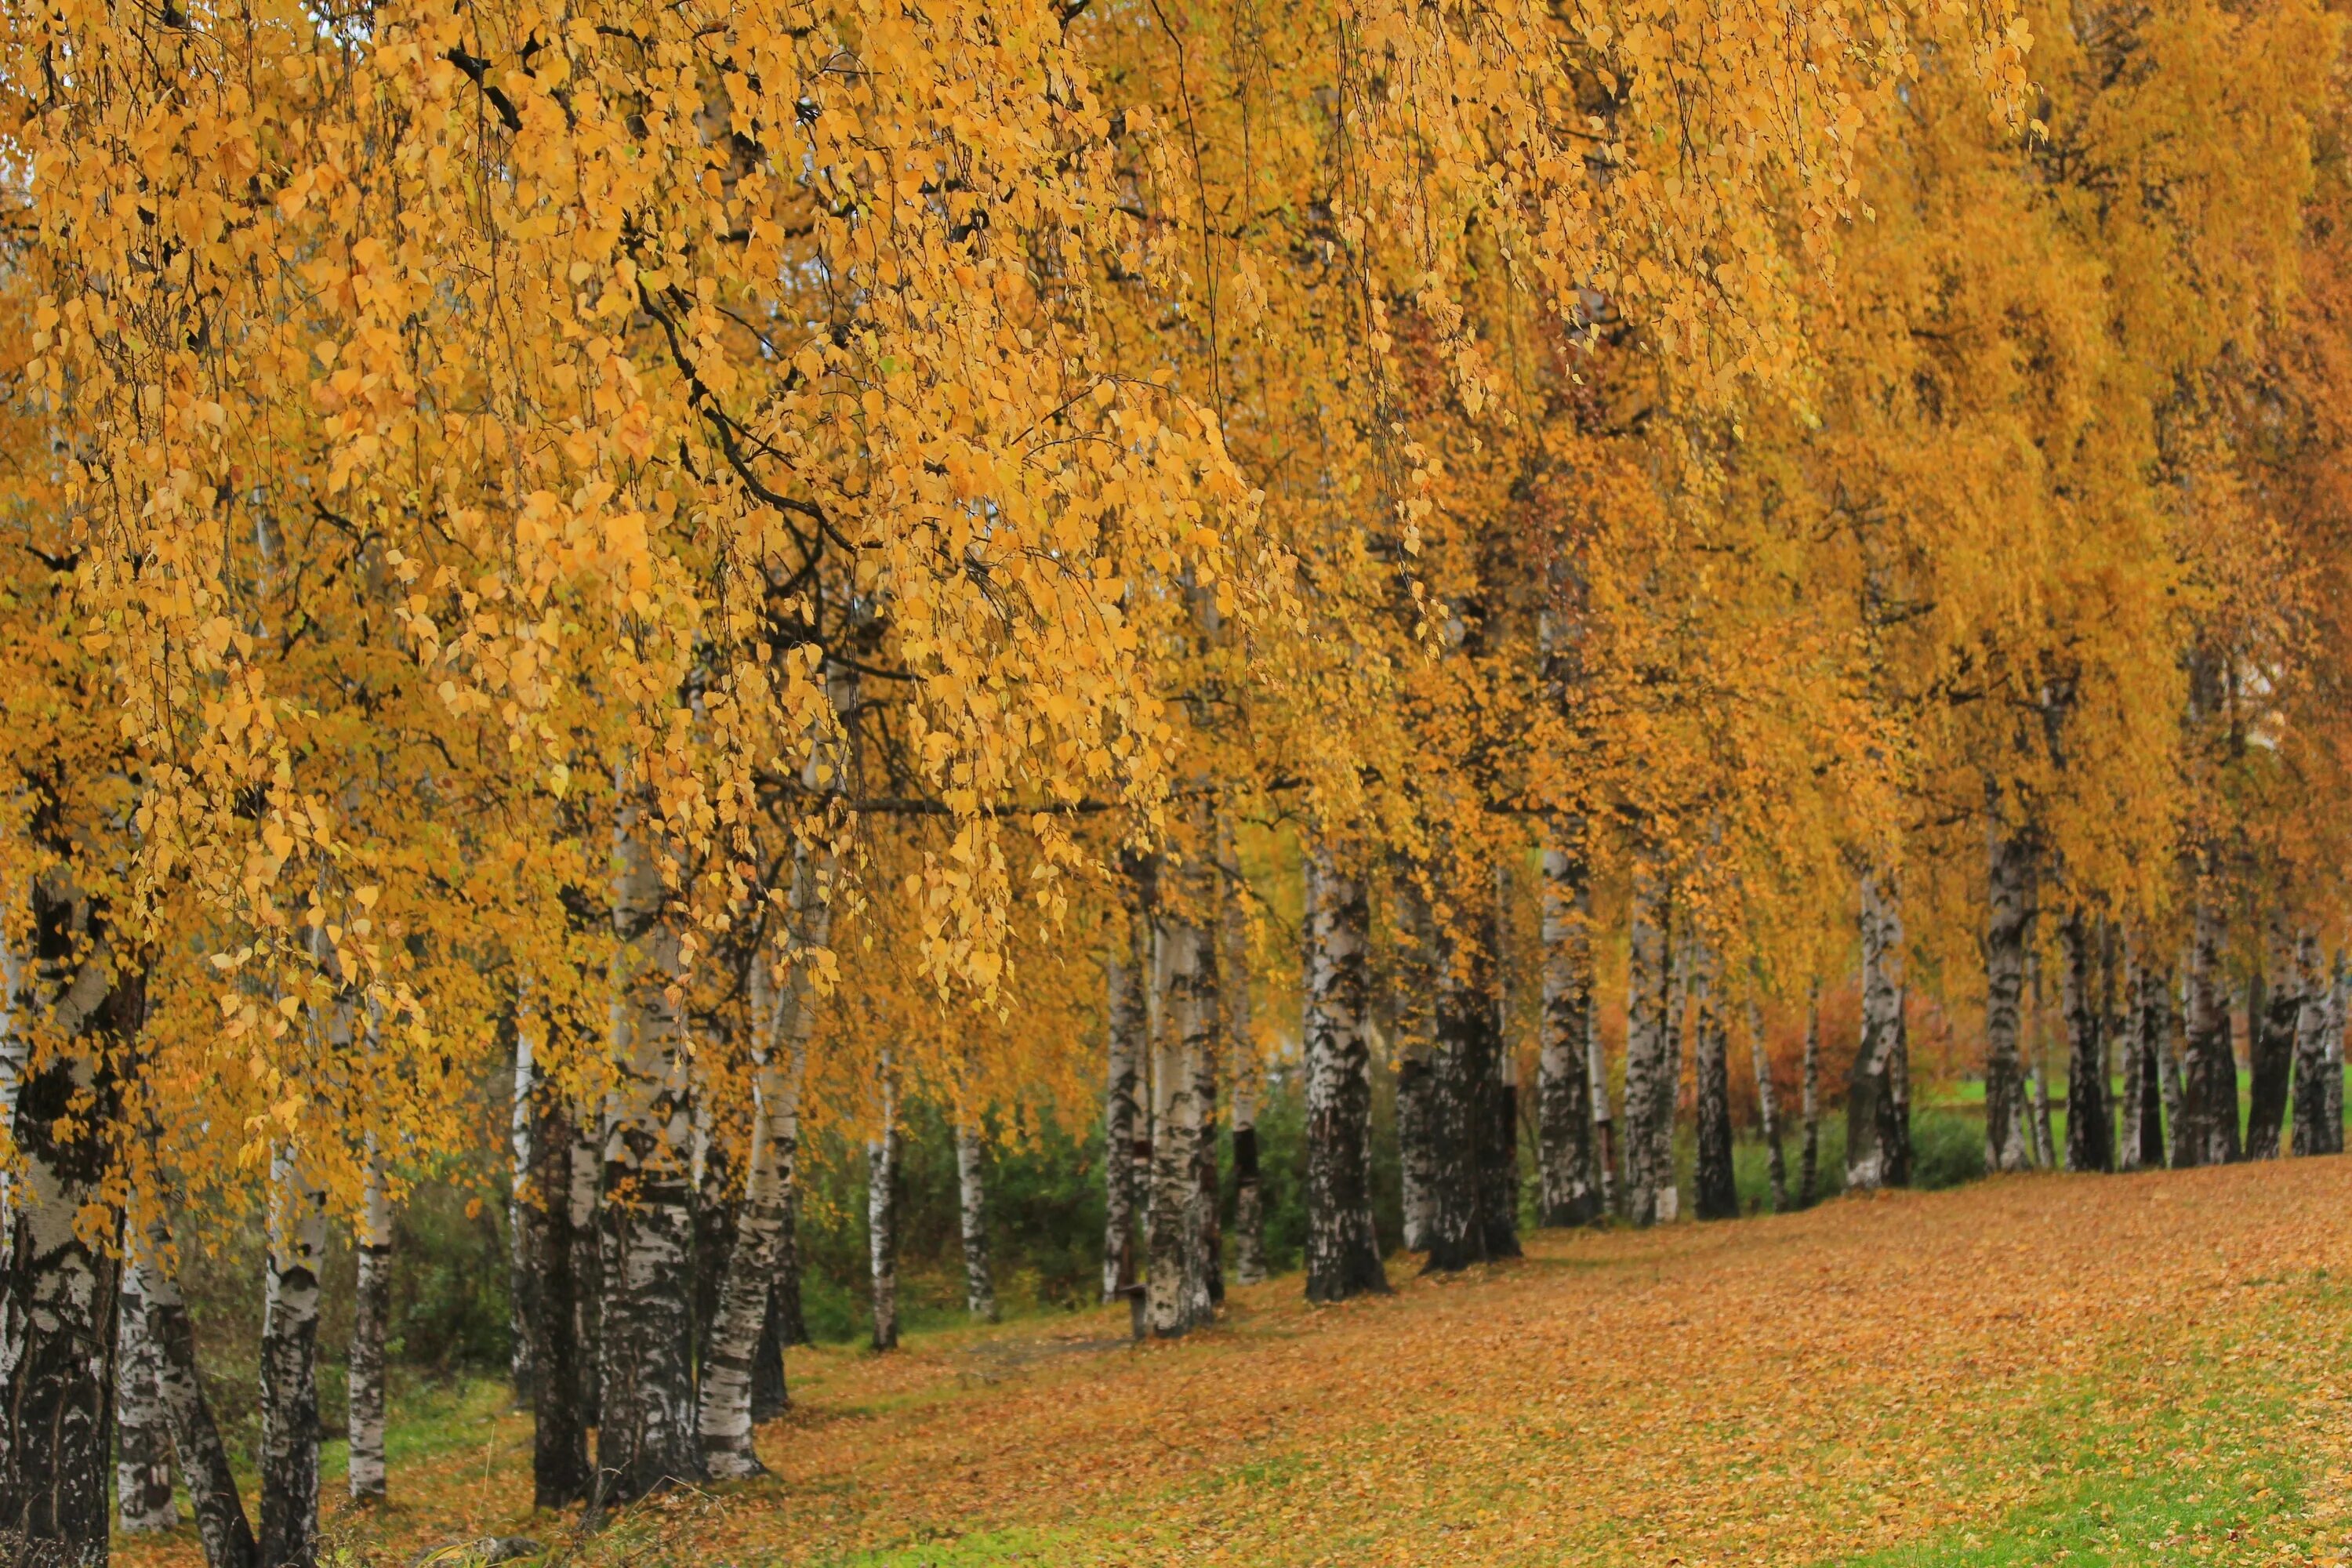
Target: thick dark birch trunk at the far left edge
60	1294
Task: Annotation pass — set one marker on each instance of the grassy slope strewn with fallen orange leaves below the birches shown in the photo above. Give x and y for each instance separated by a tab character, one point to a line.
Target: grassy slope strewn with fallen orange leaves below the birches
2141	1369
